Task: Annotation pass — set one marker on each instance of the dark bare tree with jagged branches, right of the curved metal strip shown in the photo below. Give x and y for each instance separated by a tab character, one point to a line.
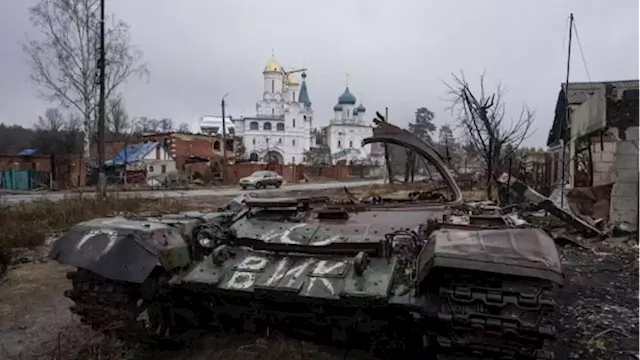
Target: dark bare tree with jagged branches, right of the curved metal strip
482	118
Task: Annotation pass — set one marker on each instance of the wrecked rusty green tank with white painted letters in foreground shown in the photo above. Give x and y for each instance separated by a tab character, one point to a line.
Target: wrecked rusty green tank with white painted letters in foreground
386	275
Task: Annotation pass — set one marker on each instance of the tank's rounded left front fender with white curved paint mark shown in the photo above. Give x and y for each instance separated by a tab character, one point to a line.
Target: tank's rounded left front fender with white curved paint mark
120	249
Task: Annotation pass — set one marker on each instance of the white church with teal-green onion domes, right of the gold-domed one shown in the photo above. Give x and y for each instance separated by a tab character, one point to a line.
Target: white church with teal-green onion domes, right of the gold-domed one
346	131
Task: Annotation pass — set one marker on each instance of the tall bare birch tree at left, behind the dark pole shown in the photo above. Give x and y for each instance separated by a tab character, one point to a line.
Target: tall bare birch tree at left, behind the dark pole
65	59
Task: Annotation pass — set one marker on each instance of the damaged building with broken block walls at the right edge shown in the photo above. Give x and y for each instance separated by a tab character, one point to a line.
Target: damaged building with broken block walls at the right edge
600	138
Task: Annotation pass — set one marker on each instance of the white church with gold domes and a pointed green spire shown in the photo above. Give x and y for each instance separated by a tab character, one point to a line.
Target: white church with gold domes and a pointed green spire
281	130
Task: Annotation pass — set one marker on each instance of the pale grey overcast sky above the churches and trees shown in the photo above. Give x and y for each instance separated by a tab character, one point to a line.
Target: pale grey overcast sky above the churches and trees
397	53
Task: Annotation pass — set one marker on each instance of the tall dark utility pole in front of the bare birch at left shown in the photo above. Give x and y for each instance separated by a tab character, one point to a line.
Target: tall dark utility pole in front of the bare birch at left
102	180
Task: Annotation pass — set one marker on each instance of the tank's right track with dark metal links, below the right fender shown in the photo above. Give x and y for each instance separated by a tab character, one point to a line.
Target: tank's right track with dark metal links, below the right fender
494	318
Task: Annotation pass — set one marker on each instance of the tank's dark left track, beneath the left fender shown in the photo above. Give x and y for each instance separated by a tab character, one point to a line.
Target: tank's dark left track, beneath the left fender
130	311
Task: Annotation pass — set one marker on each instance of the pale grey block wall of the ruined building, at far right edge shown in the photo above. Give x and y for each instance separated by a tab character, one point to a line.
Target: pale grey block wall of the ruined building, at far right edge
626	164
